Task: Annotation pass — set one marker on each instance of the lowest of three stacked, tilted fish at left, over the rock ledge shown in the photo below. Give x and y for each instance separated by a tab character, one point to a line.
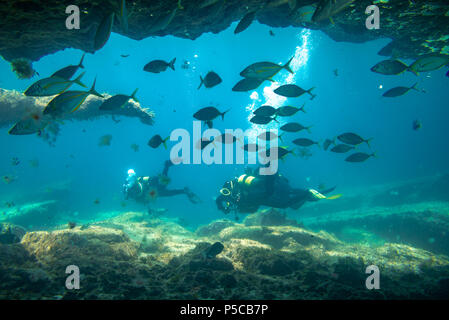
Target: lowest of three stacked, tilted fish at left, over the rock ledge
68	101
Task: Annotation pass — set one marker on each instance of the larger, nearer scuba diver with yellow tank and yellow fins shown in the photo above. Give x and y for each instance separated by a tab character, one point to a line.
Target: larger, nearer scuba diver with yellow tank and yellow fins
249	191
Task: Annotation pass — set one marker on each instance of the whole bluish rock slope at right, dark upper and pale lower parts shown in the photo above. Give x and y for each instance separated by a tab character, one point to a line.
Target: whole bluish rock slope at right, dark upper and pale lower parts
393	213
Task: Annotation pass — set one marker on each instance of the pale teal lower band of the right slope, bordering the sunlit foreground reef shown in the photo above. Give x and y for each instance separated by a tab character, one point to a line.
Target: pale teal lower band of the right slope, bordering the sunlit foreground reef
396	224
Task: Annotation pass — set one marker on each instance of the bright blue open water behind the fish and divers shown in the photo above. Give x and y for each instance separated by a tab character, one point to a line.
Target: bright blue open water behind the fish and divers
350	102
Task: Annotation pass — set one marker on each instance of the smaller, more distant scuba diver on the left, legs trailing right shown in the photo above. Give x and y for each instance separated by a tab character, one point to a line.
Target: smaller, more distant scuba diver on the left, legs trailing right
146	189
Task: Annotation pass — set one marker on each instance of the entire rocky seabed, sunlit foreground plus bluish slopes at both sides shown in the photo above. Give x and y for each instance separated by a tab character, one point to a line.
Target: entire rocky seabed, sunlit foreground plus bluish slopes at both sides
268	255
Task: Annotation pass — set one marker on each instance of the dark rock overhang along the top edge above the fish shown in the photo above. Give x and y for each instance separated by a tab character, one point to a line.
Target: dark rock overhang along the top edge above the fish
34	28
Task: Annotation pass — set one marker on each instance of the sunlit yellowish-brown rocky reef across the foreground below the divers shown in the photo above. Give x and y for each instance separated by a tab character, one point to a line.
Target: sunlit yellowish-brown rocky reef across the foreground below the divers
132	256
